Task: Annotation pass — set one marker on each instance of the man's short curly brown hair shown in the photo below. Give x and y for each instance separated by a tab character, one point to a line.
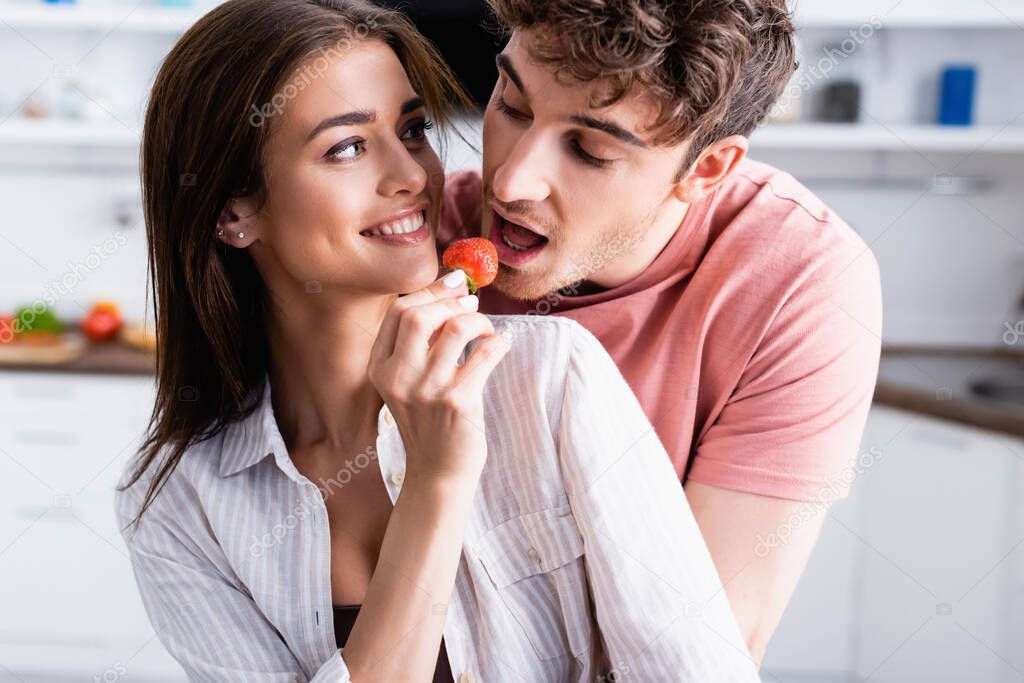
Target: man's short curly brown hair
716	66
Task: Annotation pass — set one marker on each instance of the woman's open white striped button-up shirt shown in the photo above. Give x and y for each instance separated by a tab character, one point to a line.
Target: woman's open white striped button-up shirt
581	557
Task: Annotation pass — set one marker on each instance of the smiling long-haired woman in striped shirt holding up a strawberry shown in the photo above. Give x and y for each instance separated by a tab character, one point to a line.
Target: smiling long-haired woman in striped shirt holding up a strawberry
411	490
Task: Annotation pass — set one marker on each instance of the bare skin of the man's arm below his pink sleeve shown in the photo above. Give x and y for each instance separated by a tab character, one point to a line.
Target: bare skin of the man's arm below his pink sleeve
759	580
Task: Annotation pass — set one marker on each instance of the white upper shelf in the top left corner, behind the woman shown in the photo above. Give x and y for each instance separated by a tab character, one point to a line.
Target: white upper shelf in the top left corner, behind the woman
154	20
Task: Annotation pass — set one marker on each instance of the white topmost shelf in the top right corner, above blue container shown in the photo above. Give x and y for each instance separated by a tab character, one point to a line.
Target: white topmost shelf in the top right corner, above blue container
911	14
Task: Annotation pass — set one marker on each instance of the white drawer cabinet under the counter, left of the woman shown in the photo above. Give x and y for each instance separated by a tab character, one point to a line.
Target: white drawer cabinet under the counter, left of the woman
69	607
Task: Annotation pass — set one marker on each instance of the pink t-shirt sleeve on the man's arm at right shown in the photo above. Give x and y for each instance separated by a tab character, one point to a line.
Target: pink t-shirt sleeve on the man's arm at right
793	428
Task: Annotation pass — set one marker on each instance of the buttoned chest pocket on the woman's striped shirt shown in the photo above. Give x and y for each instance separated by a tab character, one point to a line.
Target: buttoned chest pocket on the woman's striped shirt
536	563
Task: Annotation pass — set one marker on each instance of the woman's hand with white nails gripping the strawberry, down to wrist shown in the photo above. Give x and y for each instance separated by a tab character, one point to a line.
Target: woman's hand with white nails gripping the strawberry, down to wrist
438	405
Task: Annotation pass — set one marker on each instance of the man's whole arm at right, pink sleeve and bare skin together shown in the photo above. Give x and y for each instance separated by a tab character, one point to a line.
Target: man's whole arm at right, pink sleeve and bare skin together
788	435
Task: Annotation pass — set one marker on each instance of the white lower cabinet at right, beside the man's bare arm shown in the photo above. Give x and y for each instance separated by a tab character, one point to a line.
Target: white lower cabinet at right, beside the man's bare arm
919	575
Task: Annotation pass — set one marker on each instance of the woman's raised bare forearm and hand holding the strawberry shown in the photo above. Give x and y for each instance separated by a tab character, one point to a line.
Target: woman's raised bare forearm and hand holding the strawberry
439	407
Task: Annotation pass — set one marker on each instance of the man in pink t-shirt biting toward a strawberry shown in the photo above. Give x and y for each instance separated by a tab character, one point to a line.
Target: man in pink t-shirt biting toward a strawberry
744	314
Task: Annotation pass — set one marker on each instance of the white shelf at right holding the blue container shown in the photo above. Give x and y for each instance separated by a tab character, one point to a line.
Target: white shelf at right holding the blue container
867	138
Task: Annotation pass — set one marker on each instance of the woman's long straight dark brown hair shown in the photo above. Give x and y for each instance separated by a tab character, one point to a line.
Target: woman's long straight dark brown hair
209	117
